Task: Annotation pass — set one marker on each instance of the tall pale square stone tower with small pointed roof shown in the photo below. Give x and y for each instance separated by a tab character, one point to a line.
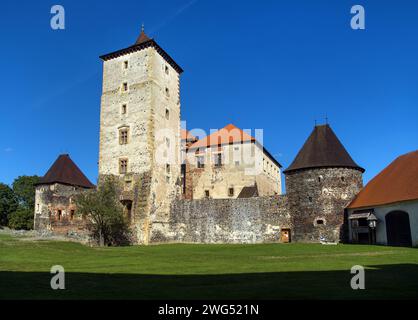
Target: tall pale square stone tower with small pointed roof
140	133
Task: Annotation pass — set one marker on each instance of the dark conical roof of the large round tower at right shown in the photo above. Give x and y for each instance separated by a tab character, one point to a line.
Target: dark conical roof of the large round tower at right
323	149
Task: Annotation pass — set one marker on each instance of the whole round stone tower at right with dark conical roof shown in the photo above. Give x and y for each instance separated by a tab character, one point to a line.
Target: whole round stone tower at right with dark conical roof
320	183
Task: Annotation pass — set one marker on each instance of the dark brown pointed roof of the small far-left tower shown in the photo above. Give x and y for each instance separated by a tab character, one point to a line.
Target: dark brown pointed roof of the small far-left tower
65	171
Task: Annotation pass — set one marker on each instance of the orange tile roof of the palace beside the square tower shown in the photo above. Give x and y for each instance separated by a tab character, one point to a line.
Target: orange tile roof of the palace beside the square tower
226	135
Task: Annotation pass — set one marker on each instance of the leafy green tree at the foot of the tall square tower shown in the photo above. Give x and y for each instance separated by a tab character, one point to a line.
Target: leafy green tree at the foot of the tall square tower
104	213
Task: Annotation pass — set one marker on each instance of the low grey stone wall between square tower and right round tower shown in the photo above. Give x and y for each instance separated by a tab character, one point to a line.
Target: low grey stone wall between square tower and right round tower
250	220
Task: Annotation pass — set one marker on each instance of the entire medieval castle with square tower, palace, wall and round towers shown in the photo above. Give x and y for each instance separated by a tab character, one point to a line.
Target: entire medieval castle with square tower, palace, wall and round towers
177	187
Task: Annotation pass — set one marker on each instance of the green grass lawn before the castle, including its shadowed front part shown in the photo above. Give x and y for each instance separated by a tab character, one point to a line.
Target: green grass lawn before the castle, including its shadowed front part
187	271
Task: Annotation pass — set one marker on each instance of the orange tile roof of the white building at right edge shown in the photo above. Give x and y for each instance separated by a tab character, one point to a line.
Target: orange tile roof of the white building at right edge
397	182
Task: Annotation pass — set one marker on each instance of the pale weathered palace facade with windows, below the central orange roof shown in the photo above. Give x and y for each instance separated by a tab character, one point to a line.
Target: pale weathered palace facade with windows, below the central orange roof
244	164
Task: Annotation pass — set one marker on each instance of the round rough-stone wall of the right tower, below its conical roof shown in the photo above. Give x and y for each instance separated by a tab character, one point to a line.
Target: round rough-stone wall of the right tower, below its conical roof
316	200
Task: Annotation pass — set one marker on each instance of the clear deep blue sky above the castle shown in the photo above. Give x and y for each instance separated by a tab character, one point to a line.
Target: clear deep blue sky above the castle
274	65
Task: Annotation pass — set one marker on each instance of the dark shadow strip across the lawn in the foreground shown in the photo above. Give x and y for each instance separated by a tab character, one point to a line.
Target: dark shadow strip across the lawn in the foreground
382	282
